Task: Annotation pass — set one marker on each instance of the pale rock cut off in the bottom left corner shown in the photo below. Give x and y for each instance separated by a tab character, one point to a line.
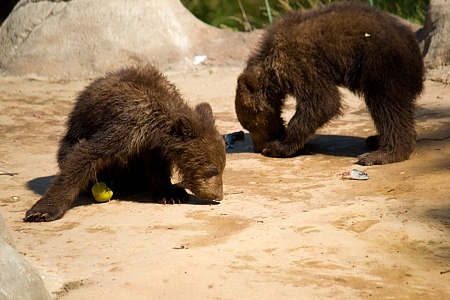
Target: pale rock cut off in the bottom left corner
18	279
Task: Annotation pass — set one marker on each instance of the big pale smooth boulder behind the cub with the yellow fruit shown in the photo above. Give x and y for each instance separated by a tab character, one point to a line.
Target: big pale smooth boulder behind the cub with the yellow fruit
84	37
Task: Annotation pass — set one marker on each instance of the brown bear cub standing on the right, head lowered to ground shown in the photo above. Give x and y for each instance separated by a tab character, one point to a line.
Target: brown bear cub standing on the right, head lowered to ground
308	55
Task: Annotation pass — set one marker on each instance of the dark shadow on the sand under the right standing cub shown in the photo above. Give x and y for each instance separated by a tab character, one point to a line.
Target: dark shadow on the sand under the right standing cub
333	145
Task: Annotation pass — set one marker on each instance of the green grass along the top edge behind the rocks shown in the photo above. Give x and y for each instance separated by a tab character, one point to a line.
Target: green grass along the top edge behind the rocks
246	15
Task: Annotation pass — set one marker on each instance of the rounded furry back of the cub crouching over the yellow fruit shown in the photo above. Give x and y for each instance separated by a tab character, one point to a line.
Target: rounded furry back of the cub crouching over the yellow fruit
132	96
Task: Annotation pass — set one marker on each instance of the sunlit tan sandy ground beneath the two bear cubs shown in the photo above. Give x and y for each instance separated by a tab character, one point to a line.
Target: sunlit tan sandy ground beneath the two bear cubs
286	229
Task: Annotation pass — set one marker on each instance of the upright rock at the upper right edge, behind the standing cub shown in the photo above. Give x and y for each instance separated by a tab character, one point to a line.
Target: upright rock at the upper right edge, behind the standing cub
435	39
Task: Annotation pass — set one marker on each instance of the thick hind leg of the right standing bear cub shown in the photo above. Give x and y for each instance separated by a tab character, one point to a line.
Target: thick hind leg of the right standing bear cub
394	121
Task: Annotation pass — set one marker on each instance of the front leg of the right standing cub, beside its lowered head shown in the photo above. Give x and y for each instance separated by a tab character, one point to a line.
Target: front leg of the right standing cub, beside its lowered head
312	112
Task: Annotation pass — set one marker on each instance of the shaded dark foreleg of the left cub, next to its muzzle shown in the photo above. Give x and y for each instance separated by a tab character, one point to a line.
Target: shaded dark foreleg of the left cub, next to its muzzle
159	172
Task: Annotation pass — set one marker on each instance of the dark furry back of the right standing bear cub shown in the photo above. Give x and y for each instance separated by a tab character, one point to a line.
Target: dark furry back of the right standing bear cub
345	42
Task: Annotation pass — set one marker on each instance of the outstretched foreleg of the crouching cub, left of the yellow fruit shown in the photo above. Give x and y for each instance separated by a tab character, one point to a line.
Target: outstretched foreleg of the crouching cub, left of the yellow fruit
80	167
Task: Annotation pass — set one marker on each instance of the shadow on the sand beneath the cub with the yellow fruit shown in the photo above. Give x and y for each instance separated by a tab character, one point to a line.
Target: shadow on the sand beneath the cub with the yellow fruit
41	184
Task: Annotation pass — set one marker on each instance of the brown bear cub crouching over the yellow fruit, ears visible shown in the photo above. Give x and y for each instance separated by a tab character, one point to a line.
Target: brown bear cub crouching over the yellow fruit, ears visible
129	129
